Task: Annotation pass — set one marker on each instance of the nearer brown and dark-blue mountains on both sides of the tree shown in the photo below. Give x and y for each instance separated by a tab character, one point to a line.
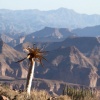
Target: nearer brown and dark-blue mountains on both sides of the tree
71	60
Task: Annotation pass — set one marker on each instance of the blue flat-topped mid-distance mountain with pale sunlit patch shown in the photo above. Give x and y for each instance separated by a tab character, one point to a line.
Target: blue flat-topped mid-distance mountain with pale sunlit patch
49	34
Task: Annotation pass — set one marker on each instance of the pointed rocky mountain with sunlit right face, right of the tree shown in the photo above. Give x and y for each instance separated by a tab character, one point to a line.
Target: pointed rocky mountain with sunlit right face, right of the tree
69	65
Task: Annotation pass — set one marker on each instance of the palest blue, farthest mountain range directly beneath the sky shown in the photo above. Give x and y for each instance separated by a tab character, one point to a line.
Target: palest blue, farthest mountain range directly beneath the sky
13	22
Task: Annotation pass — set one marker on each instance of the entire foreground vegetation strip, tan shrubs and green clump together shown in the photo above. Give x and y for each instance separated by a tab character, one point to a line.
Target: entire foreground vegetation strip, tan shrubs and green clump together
72	94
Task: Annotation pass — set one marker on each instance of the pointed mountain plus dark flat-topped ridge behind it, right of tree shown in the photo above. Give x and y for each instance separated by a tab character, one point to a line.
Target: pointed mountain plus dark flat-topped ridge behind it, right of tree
71	60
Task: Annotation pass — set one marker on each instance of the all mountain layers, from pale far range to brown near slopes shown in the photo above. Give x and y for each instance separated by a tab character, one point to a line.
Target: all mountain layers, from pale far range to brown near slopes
72	39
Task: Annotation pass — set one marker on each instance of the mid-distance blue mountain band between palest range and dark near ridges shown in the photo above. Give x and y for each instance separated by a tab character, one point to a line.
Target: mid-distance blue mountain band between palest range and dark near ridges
50	35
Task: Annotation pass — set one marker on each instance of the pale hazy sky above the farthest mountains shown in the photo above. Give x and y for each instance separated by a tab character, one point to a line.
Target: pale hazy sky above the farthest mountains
81	6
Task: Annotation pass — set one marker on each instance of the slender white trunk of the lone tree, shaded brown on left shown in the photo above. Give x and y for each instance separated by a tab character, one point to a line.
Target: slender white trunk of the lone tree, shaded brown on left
30	76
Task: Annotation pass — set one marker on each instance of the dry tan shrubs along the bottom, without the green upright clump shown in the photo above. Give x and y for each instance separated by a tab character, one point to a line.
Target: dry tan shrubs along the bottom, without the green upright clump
36	95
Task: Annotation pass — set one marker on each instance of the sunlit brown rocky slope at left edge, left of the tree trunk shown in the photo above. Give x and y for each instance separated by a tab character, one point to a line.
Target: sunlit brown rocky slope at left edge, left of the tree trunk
8	57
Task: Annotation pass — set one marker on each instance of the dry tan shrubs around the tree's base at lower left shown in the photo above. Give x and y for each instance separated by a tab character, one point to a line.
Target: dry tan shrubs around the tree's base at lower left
16	95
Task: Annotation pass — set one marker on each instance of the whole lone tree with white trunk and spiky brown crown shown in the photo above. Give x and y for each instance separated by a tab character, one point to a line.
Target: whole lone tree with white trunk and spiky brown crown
34	55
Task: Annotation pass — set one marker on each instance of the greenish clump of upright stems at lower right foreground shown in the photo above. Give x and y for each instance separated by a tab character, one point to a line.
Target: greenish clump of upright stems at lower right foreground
80	94
